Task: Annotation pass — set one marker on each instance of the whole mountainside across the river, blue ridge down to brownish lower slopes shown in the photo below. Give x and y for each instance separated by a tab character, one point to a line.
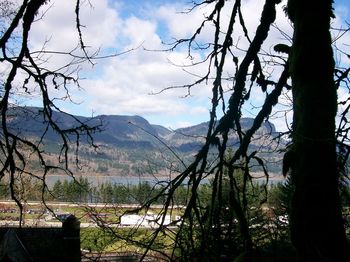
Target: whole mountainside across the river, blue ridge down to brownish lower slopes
130	145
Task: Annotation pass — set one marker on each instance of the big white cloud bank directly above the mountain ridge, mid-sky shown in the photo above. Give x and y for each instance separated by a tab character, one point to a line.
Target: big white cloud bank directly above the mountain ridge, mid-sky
126	82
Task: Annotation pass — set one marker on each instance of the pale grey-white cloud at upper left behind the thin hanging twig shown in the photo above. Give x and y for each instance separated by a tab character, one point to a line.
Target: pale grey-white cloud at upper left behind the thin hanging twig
100	25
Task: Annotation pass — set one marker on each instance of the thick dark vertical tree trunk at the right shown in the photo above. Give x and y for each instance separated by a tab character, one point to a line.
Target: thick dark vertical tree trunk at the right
317	228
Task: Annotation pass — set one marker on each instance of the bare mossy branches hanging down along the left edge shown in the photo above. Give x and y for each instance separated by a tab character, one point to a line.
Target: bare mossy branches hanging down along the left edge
25	73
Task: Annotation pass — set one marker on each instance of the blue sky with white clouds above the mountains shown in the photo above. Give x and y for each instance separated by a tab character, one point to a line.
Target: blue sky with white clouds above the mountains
131	83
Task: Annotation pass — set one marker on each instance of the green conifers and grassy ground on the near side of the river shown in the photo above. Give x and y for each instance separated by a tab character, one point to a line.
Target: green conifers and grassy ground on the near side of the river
267	209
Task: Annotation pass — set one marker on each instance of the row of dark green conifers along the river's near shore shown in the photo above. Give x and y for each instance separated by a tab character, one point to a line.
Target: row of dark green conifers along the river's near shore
80	190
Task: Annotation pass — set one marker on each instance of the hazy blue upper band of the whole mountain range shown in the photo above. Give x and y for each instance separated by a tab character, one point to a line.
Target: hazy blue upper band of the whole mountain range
120	131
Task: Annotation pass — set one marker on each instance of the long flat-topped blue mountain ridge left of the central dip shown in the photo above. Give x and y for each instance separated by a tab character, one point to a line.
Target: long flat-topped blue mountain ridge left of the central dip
116	131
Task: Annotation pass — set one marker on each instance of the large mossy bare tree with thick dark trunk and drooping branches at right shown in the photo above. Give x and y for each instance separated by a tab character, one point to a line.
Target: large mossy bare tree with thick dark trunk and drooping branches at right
311	160
